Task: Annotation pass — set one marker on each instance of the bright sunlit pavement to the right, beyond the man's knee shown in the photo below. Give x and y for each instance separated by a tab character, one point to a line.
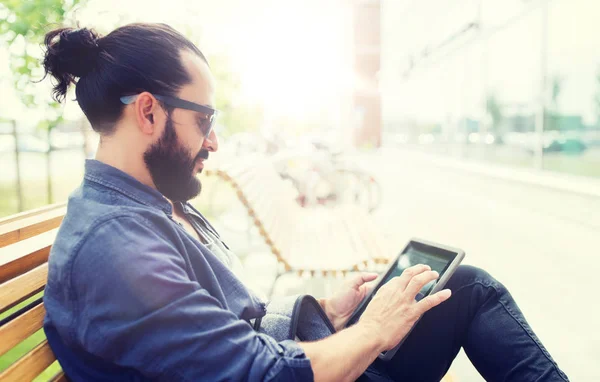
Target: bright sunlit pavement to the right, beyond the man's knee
538	242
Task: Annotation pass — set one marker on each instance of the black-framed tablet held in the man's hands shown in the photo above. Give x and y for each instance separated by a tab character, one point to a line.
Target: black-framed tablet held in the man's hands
438	259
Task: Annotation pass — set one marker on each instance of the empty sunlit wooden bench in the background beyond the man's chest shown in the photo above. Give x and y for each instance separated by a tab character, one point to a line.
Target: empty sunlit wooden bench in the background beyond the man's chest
316	240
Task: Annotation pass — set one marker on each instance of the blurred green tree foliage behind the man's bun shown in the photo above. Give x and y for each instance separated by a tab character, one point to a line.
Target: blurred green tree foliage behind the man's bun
23	25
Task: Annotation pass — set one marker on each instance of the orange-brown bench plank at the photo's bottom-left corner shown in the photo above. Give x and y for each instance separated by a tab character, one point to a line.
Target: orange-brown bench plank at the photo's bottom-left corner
30	365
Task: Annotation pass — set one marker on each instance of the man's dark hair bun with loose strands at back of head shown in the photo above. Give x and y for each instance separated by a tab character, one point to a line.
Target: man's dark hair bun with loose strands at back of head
70	54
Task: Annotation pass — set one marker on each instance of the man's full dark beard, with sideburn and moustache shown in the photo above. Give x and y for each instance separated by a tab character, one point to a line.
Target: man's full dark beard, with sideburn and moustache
171	166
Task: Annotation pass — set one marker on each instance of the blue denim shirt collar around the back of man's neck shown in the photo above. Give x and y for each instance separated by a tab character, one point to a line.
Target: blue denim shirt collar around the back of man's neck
115	179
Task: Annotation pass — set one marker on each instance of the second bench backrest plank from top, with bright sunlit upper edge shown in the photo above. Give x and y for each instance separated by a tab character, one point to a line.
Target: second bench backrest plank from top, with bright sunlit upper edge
21	257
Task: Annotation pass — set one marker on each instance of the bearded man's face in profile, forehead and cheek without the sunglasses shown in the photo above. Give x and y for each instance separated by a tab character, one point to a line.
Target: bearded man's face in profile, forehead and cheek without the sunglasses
178	156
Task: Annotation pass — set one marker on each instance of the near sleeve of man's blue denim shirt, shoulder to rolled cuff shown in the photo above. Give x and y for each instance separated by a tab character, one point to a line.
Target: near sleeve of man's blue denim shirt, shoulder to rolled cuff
138	308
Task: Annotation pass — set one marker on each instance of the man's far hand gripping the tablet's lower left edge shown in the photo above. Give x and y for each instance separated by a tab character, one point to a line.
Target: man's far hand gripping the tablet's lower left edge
342	304
